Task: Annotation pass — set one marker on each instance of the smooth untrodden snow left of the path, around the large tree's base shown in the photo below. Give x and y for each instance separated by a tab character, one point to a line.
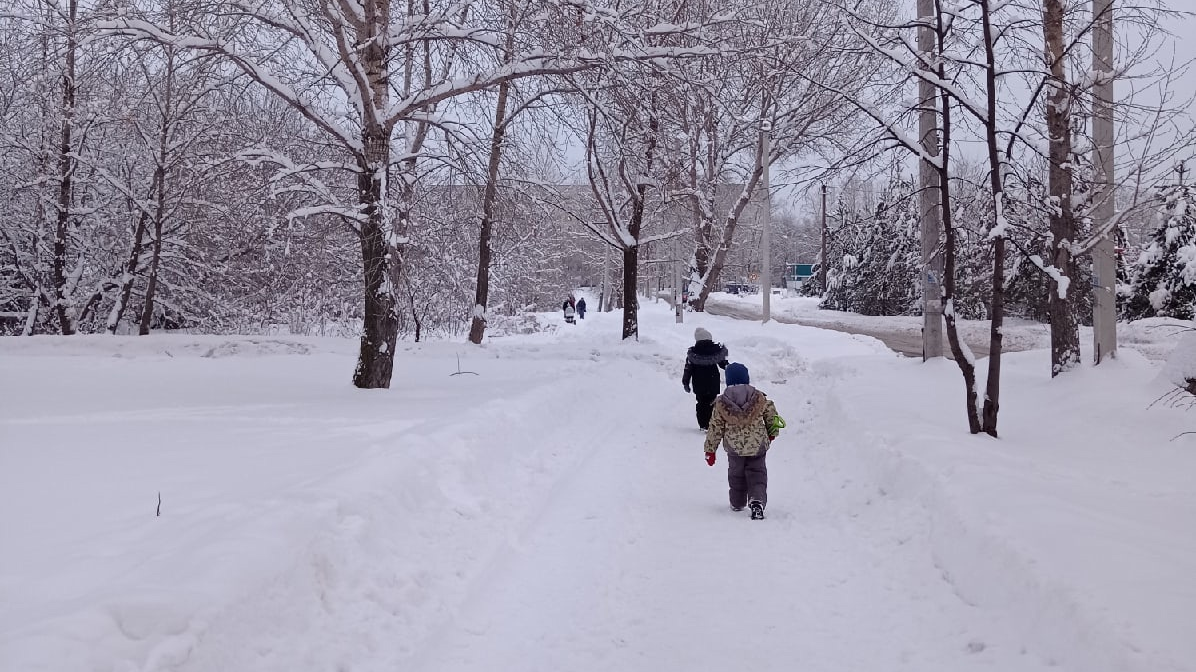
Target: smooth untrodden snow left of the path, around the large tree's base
294	508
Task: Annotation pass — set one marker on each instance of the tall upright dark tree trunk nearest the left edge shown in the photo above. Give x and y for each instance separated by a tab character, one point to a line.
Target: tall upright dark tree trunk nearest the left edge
66	174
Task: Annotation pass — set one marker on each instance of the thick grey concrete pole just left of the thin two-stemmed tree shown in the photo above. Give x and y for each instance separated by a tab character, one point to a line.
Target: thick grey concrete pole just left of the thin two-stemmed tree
930	201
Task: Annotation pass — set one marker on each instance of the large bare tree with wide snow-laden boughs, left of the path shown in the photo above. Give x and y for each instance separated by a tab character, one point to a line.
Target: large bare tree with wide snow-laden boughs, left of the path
394	68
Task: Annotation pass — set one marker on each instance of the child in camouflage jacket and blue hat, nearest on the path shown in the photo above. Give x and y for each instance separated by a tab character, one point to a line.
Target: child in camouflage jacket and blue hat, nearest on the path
746	423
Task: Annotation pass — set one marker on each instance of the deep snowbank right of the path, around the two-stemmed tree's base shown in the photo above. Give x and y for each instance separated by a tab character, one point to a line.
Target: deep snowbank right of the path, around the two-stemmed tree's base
1078	521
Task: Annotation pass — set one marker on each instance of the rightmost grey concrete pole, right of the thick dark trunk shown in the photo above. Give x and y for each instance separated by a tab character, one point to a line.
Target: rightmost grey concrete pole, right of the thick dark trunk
1105	265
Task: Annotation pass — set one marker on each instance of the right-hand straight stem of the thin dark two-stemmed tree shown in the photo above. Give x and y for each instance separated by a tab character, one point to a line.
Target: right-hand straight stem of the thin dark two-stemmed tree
997	328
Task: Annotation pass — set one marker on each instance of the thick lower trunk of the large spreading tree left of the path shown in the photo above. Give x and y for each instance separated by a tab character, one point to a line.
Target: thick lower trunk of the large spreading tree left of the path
376	359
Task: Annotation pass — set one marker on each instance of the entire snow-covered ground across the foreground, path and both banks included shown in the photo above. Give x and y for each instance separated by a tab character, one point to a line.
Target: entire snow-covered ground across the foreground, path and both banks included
550	510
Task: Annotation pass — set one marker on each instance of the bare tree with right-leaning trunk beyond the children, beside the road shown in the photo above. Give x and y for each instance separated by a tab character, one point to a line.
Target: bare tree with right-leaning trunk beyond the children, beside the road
722	102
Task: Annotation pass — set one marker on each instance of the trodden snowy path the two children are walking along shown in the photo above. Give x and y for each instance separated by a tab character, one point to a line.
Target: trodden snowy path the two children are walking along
636	563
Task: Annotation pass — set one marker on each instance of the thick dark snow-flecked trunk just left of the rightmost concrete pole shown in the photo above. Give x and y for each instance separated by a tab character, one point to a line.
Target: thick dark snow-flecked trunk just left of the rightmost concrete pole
1065	332
